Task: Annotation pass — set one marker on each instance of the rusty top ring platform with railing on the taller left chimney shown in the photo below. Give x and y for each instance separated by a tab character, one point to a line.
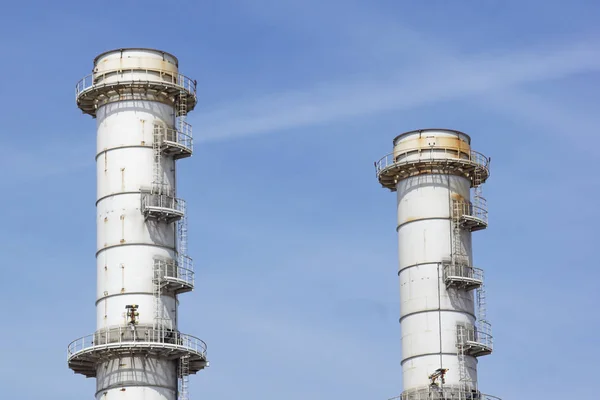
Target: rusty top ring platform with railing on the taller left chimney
133	84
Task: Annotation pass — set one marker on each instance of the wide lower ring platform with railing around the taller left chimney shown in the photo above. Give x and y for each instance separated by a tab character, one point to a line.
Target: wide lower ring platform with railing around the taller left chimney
85	353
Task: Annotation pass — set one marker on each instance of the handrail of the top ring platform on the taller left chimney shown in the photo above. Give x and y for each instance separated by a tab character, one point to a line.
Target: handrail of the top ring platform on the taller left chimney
88	82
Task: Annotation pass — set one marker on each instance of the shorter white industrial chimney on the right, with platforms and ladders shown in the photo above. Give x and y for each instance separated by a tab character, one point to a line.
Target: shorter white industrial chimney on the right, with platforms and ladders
442	297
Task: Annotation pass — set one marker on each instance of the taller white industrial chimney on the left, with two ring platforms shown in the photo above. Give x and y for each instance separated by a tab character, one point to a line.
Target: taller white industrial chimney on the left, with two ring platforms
140	102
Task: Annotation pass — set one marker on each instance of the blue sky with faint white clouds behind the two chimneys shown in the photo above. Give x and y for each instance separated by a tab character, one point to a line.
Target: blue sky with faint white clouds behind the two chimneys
293	239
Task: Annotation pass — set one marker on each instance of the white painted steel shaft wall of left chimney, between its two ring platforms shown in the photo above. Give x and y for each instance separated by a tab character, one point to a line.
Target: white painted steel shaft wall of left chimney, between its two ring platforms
127	244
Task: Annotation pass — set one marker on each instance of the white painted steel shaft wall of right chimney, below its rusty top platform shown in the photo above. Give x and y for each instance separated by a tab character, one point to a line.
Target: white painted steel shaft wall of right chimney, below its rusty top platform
424	240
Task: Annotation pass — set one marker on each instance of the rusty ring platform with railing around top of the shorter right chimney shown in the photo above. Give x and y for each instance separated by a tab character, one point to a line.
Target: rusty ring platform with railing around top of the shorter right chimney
438	160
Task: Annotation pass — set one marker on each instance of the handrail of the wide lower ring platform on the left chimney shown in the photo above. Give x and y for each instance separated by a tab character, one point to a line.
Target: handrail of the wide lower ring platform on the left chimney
125	335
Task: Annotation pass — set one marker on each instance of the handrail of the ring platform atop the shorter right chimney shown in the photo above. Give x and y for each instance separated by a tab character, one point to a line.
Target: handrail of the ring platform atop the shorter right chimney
436	154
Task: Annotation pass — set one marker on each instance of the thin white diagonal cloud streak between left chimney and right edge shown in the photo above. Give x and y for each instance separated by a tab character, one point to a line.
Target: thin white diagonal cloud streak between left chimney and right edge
429	83
